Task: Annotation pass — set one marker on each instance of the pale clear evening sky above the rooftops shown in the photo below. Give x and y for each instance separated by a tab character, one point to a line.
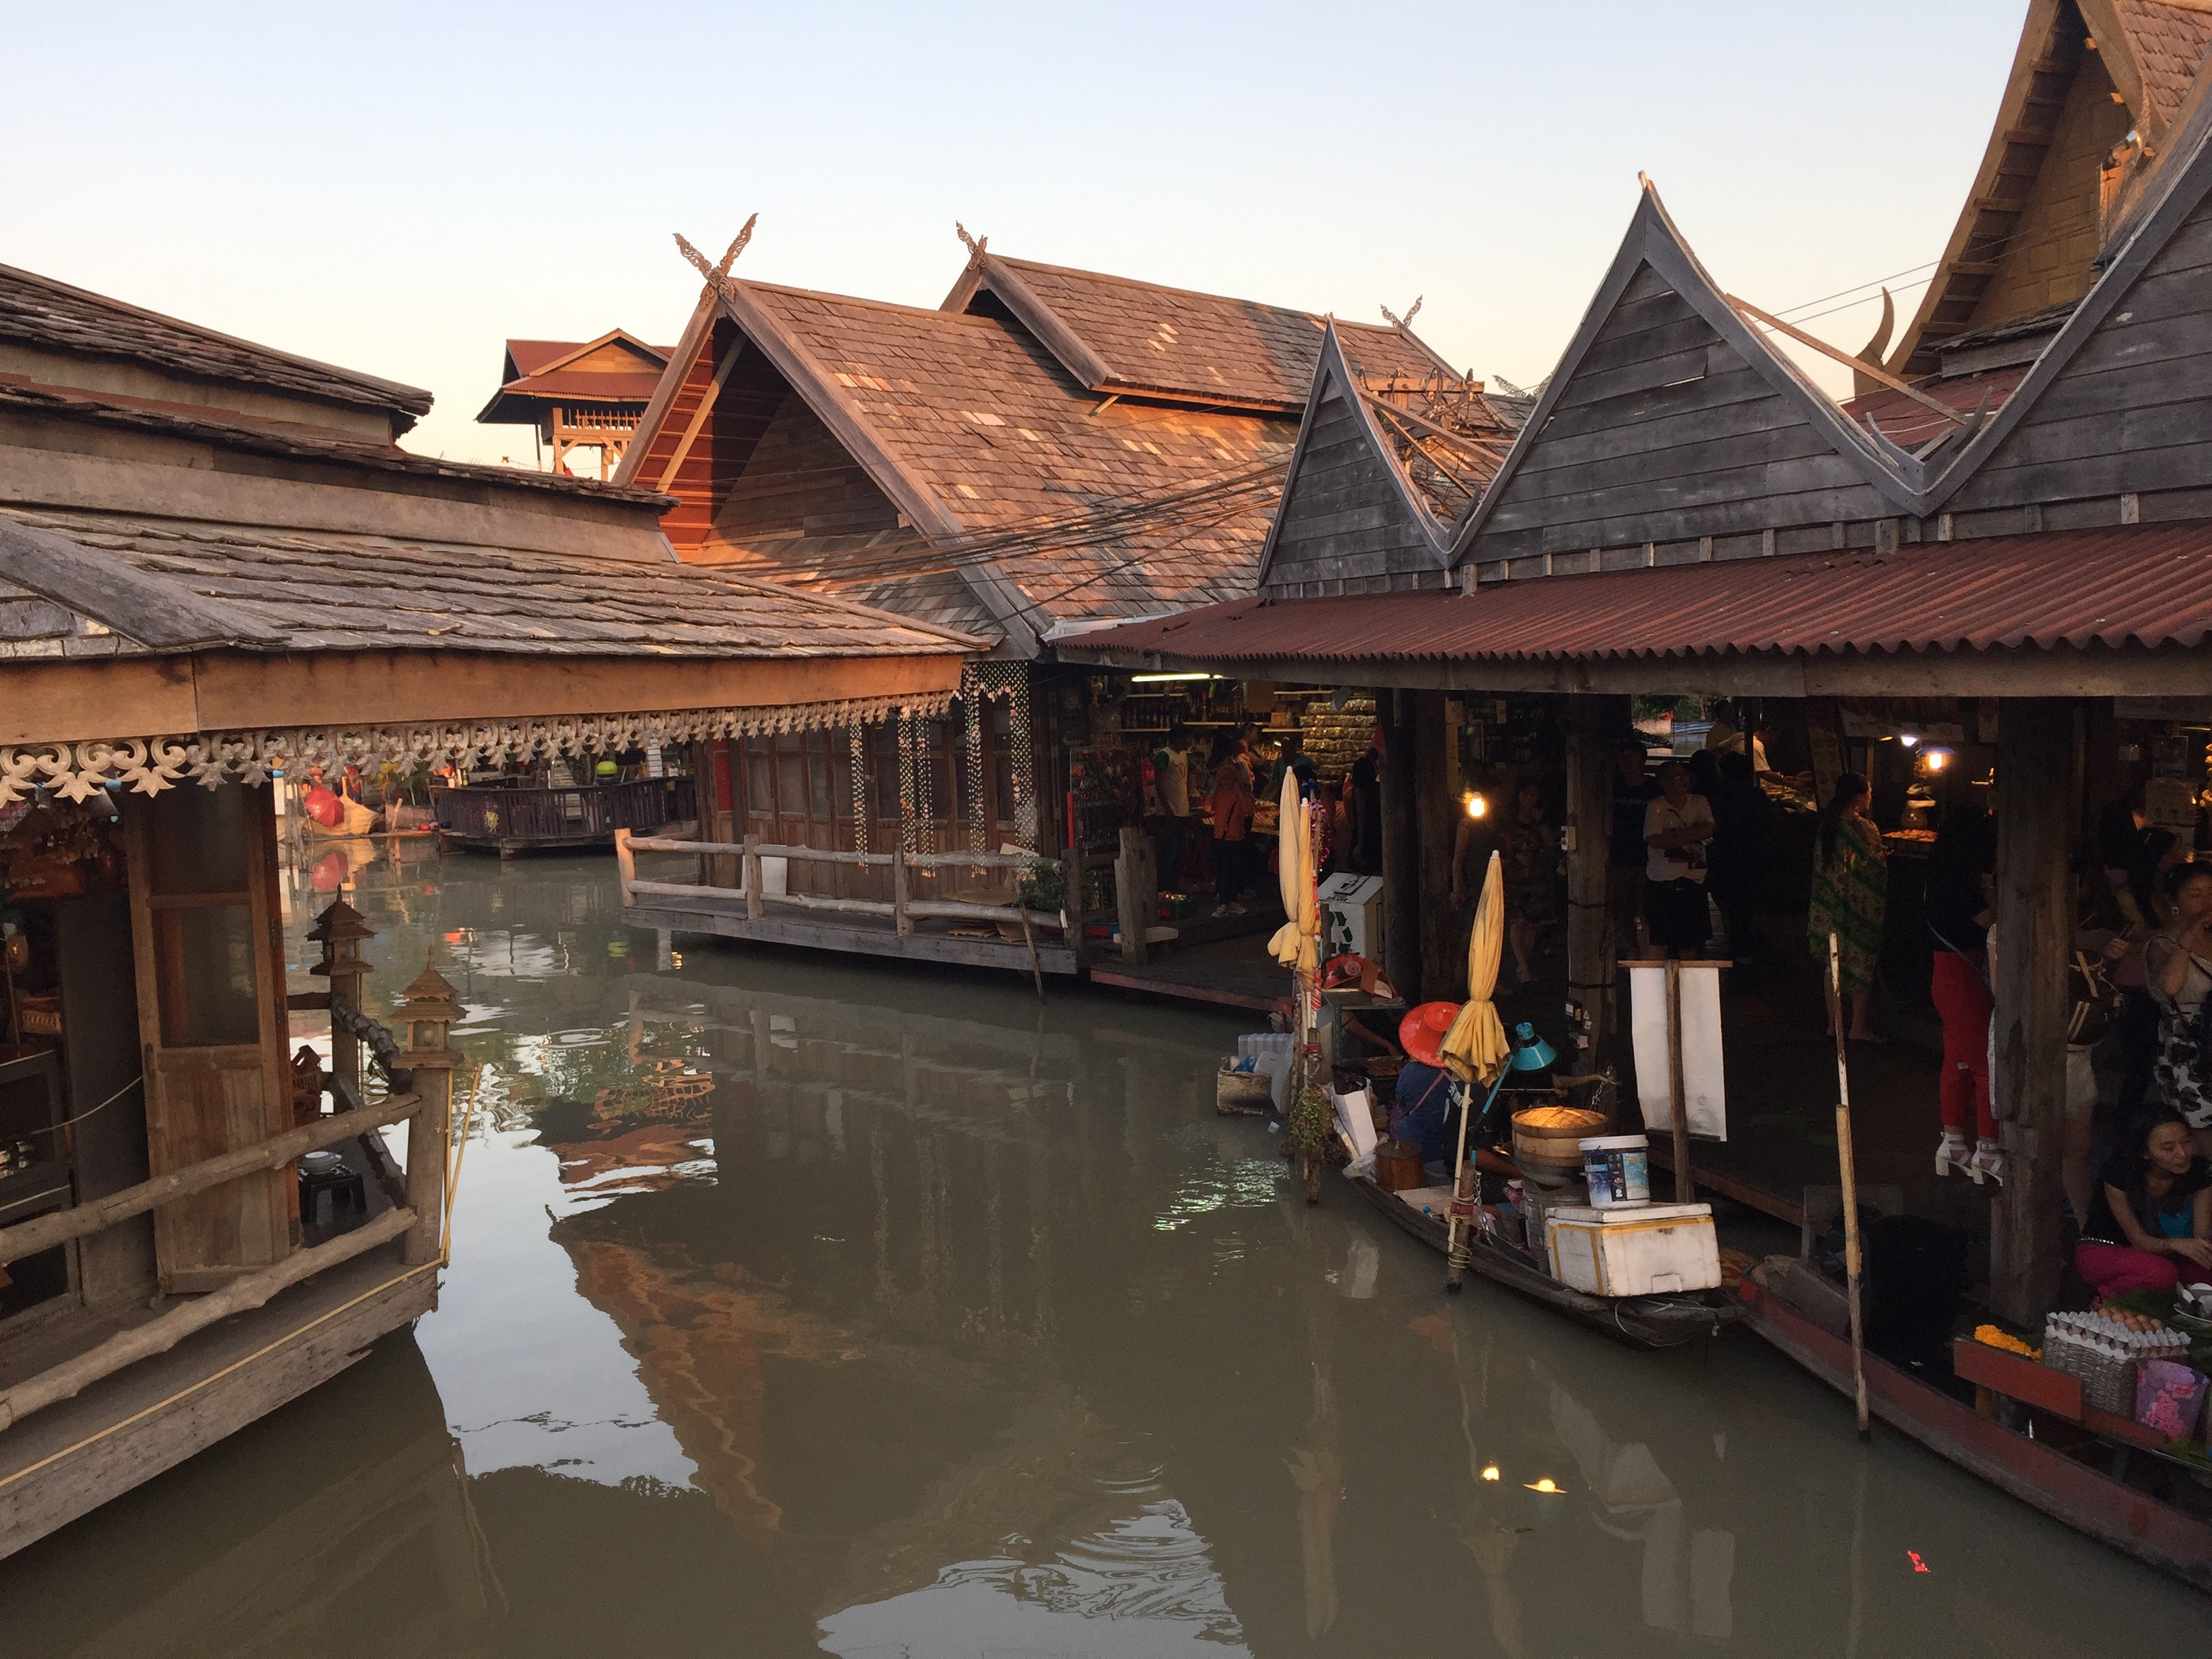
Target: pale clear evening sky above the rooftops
401	189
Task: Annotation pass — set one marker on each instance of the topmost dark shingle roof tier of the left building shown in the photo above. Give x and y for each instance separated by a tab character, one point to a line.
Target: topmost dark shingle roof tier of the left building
72	320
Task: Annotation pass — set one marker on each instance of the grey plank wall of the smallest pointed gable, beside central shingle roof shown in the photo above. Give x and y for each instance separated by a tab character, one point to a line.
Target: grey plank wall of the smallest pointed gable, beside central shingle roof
1346	519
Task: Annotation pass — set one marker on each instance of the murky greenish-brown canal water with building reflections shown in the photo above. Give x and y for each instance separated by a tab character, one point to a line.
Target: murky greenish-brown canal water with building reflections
802	1306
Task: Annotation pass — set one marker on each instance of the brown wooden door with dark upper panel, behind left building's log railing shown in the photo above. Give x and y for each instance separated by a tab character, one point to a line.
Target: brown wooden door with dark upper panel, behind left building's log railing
211	1023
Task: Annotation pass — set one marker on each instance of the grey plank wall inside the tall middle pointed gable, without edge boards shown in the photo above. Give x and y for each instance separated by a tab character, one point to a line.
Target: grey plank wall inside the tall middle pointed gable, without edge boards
1669	435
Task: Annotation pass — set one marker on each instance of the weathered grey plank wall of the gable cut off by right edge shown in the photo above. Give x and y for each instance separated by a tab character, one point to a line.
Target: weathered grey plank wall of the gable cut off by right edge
2131	413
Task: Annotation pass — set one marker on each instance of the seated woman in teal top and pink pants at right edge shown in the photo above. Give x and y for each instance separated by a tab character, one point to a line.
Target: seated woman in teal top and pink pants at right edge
2151	1220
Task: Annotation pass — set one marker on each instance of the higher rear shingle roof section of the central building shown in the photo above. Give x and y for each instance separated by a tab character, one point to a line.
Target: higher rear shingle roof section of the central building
1142	340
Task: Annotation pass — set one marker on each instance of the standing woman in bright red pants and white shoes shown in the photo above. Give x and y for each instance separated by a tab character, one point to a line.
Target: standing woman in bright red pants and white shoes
1959	912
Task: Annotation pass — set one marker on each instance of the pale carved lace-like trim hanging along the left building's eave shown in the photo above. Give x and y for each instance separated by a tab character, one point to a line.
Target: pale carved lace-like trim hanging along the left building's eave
211	760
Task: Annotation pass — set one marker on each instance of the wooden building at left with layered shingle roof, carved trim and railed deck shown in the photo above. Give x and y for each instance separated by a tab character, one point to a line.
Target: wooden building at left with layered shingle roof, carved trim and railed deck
218	567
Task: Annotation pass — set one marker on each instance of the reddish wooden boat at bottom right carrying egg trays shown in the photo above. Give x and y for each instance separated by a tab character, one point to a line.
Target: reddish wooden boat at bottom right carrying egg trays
2076	1465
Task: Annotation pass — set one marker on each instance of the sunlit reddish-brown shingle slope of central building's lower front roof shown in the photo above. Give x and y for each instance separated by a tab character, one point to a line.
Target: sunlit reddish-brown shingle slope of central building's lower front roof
1001	444
